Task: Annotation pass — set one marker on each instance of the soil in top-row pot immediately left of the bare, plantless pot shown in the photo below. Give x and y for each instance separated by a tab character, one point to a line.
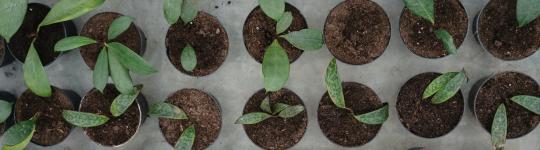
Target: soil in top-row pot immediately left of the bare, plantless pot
260	32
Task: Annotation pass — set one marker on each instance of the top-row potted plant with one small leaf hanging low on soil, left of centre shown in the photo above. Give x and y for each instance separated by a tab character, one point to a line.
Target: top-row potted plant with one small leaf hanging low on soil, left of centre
196	42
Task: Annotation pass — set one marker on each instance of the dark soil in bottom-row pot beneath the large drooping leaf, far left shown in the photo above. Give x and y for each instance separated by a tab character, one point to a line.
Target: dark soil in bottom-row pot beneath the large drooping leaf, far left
51	127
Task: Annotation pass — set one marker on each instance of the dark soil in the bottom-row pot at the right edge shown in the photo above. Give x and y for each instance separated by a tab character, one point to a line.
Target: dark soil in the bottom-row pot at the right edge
498	90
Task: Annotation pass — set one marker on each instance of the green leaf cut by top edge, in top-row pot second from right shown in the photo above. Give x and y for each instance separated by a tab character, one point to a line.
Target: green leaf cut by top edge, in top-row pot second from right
422	8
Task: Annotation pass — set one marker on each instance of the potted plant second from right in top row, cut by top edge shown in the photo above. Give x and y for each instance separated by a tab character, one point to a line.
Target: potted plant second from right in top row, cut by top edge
433	28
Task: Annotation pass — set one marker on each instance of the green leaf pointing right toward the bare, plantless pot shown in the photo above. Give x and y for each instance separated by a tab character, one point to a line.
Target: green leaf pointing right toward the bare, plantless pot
306	39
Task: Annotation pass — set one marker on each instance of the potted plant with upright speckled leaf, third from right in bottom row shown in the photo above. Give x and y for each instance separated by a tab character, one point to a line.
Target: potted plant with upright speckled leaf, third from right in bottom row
349	113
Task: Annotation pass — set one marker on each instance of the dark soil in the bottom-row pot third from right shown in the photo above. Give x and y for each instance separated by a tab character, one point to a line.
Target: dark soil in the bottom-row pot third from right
339	125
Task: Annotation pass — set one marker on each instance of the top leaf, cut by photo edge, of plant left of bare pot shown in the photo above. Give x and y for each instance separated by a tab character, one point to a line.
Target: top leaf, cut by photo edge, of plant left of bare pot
273	8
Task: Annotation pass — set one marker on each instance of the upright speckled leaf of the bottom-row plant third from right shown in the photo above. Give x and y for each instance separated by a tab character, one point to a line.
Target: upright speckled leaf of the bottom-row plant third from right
333	84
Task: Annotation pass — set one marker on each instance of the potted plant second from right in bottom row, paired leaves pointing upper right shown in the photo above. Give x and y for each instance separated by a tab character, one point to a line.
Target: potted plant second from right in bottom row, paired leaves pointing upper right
430	104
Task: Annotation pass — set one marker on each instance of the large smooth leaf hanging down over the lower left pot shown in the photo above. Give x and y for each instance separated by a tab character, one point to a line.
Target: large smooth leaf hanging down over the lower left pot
35	77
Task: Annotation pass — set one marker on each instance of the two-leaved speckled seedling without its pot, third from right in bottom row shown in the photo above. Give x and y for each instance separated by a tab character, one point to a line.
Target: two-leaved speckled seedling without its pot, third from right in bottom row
335	91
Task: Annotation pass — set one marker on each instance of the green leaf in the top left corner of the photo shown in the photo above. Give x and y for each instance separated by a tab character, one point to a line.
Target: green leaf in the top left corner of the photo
13	12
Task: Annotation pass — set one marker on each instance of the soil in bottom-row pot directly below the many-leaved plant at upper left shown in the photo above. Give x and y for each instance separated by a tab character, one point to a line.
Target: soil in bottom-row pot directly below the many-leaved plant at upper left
117	130
